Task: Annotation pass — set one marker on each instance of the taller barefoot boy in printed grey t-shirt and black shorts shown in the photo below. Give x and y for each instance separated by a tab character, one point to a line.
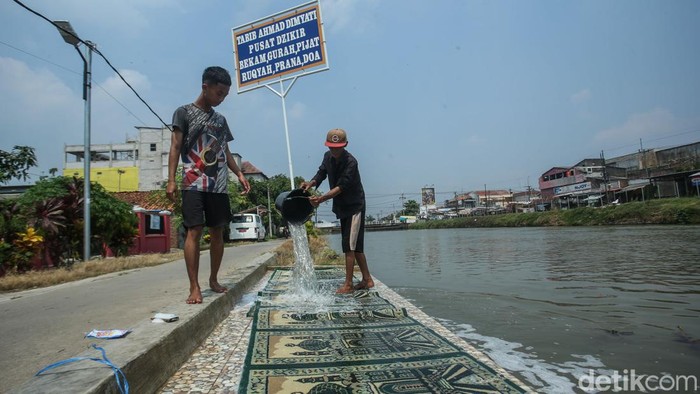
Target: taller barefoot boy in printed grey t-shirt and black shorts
200	139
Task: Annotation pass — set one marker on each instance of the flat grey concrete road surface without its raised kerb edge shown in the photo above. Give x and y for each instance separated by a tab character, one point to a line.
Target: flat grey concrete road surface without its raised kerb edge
39	327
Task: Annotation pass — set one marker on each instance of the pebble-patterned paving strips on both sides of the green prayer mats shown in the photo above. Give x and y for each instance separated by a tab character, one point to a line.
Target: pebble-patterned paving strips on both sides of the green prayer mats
216	366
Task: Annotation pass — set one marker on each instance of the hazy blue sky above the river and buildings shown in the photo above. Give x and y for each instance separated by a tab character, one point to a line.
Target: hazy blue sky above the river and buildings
458	95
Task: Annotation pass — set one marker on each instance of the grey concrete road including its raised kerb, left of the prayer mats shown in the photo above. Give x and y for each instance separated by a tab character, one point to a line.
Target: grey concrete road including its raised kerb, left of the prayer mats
43	326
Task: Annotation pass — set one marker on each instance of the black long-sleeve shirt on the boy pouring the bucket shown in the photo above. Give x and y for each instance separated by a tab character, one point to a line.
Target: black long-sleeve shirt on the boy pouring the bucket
344	173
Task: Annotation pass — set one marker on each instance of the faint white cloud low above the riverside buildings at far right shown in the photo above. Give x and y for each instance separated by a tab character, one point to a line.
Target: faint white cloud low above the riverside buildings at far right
654	124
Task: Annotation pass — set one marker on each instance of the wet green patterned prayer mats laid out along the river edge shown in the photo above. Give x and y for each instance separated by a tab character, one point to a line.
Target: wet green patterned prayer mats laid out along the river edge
373	348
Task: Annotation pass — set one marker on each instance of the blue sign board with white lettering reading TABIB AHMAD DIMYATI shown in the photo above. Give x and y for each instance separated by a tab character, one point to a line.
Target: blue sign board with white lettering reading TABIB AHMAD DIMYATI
279	47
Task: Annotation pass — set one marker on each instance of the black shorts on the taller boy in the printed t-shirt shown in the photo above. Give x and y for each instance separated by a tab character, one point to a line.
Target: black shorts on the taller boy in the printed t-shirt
202	208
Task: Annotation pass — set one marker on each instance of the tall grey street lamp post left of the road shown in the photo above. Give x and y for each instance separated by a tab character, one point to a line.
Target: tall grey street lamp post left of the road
70	37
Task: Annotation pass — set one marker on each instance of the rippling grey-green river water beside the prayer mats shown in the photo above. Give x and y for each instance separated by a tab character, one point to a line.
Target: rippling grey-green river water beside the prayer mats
554	304
